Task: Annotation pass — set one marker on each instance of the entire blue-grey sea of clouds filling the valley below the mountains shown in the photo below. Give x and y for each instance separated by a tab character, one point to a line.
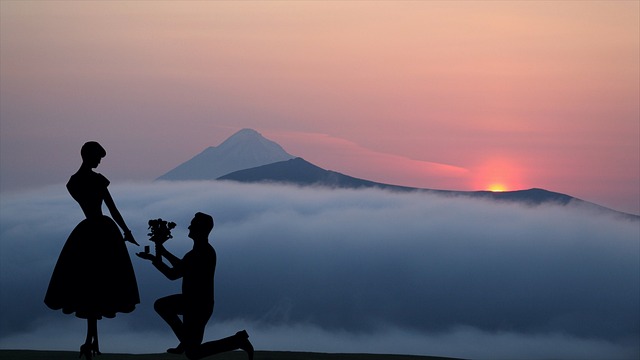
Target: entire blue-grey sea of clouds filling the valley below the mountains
368	271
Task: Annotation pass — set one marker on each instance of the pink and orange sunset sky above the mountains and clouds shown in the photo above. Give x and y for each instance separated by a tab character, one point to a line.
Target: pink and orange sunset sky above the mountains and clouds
450	95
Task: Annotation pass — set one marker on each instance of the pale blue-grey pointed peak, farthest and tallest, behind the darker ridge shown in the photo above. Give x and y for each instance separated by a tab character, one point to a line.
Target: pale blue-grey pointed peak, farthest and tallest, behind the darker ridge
245	149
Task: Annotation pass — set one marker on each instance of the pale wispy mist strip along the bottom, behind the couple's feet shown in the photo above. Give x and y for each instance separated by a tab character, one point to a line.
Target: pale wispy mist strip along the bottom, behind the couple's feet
463	342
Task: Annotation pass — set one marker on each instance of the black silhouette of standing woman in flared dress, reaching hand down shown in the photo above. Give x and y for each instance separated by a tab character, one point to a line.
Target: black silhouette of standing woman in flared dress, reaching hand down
94	276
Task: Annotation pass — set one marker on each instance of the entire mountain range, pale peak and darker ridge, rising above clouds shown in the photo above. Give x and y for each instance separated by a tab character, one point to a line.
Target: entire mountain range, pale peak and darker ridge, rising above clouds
248	157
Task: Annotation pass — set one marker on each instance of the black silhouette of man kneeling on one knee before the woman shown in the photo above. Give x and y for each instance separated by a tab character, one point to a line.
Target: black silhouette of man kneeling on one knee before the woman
195	304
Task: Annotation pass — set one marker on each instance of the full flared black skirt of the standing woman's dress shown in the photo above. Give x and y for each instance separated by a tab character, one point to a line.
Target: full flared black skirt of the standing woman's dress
93	276
